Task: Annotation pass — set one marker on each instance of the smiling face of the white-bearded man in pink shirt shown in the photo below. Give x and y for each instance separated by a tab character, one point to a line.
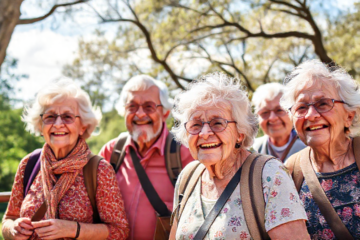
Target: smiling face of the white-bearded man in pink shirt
141	126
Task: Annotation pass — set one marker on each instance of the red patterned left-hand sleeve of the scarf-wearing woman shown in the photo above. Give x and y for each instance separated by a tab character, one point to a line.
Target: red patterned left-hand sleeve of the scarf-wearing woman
17	192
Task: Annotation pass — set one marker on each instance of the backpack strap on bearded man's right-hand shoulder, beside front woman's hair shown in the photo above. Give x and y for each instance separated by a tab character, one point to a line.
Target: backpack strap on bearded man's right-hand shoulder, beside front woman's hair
172	158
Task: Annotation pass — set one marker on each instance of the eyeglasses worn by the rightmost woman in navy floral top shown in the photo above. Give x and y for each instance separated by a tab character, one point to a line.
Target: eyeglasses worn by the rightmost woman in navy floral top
300	109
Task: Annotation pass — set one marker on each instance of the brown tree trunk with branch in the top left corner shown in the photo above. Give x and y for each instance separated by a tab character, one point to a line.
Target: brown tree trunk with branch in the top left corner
10	17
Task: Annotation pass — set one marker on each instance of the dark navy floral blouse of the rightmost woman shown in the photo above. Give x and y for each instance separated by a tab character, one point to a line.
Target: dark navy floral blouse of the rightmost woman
343	191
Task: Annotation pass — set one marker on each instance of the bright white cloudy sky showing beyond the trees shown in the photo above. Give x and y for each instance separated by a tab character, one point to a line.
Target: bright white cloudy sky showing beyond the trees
43	48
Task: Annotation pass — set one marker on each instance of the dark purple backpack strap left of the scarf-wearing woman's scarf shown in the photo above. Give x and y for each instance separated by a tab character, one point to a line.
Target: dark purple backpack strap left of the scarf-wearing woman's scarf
31	170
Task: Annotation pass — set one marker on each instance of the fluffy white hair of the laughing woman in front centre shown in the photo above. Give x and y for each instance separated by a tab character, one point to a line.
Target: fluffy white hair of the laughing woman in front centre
210	90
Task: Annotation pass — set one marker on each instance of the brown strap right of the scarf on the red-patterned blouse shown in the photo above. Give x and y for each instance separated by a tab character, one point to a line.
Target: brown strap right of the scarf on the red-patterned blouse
90	179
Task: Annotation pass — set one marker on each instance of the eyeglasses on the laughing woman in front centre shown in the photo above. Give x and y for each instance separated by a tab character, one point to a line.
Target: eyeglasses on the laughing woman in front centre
194	127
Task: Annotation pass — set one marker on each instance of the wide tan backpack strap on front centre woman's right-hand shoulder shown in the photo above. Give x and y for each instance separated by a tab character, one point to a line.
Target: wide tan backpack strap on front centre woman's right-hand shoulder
252	195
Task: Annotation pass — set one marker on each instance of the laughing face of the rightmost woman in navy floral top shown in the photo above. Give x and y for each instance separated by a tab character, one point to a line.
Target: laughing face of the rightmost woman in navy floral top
316	129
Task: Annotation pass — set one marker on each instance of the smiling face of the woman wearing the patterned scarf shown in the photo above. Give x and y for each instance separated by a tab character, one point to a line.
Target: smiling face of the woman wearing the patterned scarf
62	136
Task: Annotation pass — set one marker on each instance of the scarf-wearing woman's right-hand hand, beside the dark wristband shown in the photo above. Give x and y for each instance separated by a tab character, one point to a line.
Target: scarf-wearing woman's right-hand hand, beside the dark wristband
55	228
